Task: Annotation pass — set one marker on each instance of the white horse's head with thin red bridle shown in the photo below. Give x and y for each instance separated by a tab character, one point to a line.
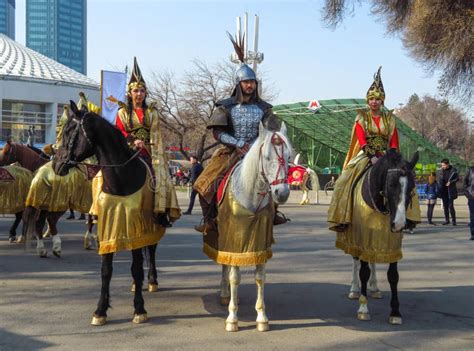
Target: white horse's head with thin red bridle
275	152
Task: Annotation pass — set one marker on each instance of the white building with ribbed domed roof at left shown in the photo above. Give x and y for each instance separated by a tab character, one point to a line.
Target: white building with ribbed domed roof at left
33	91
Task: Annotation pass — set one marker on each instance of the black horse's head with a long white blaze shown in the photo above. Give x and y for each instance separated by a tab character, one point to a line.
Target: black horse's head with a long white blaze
398	182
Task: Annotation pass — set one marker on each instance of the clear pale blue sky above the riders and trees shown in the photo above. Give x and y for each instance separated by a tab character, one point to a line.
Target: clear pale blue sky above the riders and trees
304	60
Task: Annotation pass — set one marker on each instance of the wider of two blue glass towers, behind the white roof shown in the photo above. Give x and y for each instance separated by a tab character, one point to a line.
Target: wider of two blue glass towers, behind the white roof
58	29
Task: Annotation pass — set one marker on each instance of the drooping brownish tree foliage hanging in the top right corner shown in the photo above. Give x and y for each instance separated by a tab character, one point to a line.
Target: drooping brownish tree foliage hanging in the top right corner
437	33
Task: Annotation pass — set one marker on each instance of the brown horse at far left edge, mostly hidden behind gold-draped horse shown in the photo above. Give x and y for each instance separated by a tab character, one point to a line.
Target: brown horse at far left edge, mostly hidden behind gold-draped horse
27	158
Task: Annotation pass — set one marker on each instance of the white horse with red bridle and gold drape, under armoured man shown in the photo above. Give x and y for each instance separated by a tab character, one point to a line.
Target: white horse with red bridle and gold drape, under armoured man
256	183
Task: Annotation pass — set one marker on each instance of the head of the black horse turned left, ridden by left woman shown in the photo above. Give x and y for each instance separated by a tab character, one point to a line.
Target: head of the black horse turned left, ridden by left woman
76	144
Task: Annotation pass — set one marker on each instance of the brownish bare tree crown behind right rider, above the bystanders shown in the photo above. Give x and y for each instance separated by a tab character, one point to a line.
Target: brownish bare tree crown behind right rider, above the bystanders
444	126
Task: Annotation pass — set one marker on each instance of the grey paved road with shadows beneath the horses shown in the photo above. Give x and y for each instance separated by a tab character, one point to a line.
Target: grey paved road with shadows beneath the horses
48	303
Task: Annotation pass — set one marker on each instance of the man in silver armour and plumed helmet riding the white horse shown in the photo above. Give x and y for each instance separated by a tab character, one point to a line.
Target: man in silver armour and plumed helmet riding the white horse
235	124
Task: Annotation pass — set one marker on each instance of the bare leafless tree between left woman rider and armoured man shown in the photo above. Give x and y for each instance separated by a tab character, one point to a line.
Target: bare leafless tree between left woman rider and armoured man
186	104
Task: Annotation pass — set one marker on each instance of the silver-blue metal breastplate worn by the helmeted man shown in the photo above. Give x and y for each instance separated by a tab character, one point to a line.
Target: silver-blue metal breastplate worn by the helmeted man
245	121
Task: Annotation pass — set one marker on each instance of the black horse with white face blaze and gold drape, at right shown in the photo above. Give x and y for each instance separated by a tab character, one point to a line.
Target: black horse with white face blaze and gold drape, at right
381	200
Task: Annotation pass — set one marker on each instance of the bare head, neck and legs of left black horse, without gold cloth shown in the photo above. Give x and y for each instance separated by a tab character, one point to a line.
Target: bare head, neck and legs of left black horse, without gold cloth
86	134
